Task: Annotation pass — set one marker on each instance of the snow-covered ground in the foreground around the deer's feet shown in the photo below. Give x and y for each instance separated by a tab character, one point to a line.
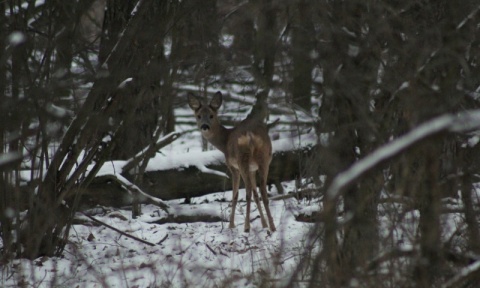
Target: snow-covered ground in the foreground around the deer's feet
191	254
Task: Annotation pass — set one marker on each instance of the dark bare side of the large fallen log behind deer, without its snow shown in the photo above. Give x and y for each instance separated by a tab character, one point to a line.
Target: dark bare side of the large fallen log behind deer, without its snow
190	181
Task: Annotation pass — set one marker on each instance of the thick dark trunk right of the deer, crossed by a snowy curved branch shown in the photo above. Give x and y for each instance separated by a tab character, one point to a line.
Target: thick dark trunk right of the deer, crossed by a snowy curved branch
350	69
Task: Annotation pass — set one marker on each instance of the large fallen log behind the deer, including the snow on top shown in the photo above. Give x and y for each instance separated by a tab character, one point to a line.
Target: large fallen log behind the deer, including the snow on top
189	175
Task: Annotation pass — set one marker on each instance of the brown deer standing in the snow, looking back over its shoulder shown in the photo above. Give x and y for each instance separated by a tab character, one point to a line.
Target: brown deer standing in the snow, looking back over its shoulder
247	148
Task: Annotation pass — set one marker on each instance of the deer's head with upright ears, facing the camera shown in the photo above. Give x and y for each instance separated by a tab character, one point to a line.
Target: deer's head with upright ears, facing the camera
206	115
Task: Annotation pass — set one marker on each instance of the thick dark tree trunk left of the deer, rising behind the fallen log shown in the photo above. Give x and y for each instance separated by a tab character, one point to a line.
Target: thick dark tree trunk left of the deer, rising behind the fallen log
128	63
